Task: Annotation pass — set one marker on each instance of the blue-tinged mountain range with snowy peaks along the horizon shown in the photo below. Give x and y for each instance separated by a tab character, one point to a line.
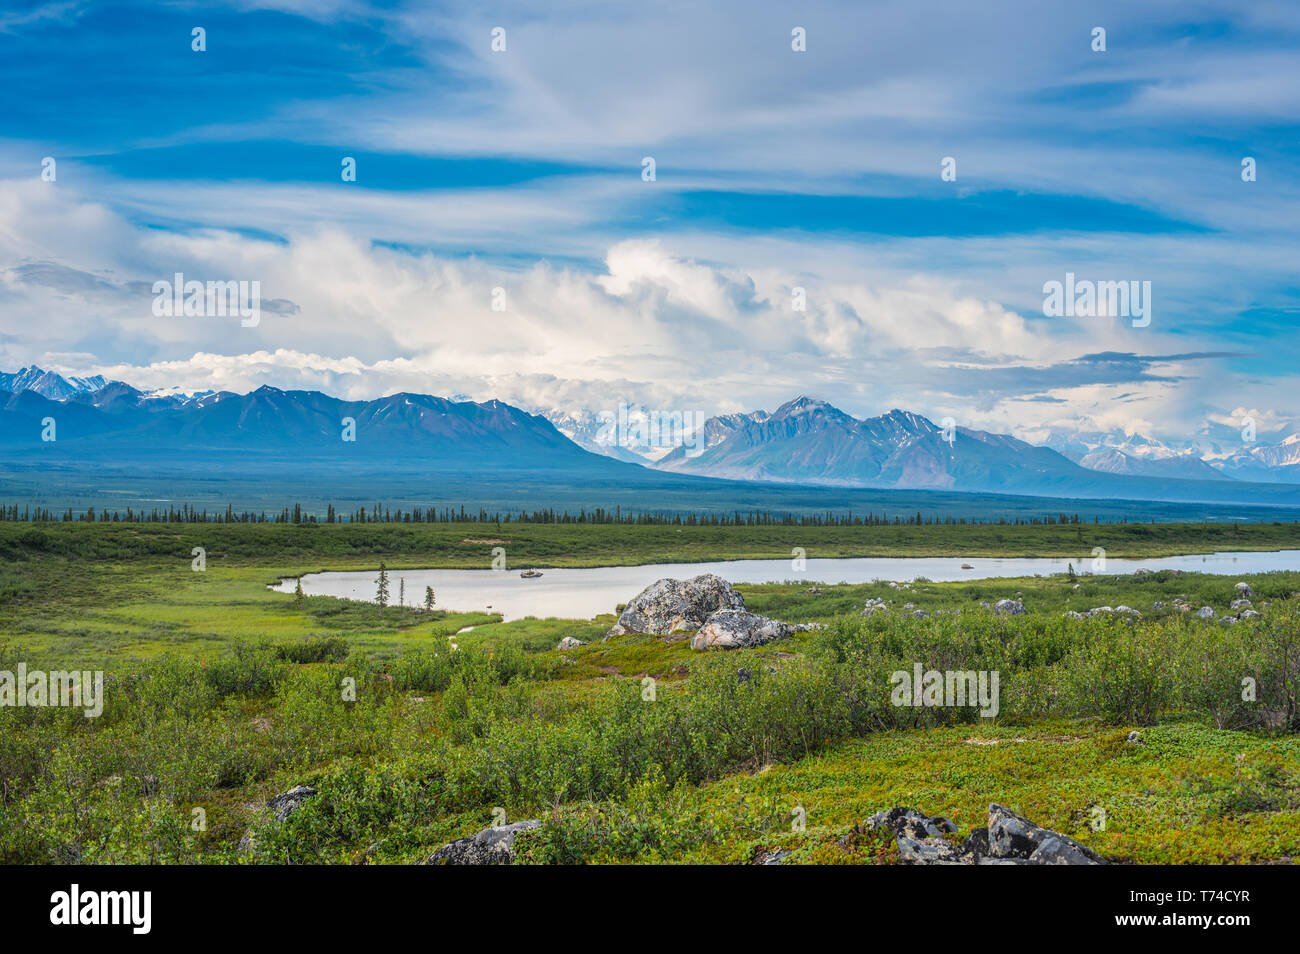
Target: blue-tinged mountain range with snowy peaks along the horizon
805	443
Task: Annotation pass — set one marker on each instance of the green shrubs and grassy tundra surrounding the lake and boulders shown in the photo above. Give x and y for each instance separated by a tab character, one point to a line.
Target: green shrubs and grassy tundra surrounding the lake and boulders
223	693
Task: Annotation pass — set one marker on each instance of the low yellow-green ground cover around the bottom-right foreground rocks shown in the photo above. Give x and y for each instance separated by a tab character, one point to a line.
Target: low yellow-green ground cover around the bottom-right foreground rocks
1185	796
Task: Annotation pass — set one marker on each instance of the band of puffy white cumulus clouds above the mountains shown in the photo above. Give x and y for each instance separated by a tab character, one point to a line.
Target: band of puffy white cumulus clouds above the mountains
645	326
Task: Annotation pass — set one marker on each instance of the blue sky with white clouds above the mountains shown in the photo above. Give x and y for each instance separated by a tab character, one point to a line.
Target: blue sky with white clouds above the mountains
522	171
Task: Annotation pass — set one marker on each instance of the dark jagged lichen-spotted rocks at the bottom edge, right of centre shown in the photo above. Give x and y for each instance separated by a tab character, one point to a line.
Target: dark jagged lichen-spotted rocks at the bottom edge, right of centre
1009	839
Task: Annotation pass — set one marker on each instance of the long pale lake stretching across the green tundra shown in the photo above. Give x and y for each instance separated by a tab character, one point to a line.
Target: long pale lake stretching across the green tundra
582	595
